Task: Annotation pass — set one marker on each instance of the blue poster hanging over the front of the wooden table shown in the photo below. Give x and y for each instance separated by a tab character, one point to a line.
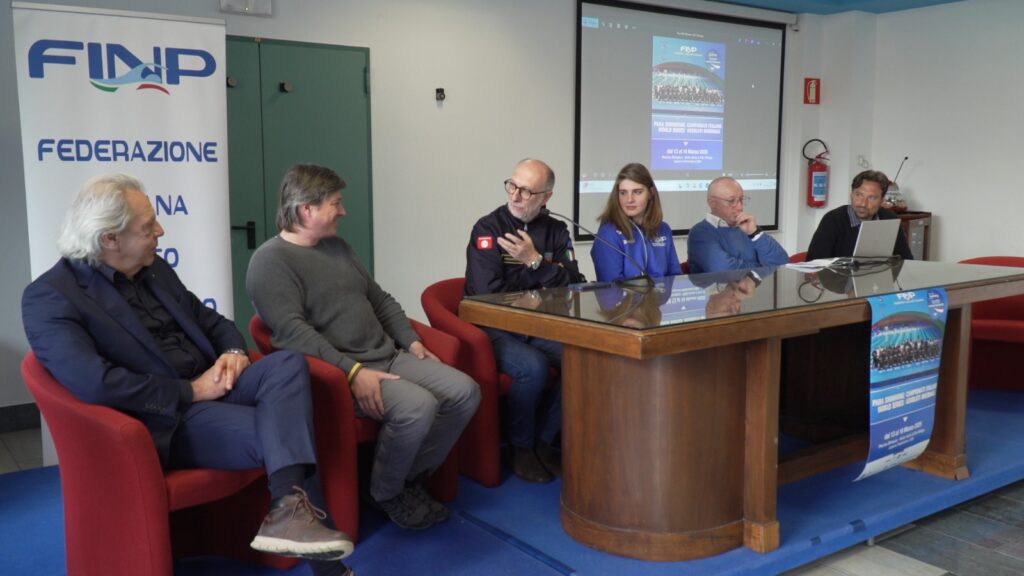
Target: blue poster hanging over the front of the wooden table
906	352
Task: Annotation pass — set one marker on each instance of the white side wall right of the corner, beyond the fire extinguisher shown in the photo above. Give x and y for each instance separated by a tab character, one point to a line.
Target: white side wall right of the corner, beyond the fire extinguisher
949	94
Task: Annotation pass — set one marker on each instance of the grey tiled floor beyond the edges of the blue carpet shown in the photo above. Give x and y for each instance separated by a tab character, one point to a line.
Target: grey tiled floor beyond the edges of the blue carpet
983	538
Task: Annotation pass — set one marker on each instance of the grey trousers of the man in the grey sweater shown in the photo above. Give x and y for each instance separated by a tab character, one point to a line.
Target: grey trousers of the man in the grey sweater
425	413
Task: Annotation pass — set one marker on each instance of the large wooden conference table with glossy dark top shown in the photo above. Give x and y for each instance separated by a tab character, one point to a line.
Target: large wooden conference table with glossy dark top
671	394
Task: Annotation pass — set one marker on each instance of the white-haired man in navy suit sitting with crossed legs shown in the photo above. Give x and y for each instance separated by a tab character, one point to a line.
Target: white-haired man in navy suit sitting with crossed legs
115	325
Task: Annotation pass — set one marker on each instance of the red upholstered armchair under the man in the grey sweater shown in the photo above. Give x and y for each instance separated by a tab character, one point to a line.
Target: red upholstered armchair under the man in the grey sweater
339	432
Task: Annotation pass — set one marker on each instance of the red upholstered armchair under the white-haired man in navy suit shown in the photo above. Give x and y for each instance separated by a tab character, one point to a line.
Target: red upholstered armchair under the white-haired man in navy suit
123	515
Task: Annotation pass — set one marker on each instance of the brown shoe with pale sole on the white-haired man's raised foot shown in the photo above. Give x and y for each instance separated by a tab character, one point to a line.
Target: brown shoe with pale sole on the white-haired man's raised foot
293	528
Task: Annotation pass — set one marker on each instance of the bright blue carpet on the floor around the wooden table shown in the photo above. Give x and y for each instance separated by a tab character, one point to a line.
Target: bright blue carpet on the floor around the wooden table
515	529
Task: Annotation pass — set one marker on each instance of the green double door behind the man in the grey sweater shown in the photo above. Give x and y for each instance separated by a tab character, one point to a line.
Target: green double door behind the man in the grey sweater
292	103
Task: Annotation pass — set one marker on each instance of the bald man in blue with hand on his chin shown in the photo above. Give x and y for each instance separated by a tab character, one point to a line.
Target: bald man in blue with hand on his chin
729	238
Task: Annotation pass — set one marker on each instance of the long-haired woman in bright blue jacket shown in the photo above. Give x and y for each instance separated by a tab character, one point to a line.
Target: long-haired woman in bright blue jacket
632	223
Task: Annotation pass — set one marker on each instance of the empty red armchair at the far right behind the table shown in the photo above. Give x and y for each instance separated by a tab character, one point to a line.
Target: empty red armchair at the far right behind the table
997	335
